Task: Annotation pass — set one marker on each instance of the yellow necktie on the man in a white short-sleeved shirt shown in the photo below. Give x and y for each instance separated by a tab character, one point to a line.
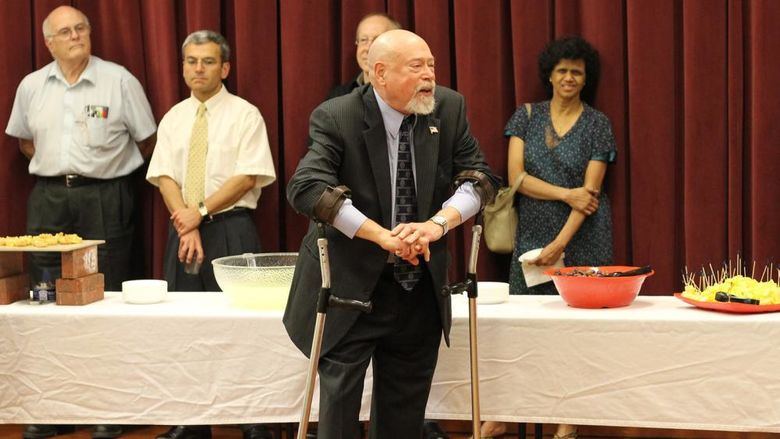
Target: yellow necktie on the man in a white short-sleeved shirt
195	180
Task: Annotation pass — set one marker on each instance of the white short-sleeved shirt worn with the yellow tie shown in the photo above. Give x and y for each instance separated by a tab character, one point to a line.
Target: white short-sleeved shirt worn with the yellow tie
237	145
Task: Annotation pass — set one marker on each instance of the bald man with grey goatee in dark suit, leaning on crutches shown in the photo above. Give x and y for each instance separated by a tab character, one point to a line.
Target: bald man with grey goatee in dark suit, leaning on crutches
363	141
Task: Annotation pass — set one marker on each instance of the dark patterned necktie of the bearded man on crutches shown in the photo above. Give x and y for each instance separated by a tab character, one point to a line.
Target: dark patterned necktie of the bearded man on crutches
405	203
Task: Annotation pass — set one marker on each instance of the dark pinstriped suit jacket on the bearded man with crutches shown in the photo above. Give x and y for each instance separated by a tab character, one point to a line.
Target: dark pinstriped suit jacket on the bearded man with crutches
350	148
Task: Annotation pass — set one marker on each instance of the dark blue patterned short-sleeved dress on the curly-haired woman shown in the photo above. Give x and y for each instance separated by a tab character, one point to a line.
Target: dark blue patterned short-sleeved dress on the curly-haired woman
560	161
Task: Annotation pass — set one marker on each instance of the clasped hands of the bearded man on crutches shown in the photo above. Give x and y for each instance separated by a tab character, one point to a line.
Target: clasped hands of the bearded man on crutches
410	240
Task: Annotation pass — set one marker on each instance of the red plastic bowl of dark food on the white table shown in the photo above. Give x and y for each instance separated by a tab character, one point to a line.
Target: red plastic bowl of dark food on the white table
597	291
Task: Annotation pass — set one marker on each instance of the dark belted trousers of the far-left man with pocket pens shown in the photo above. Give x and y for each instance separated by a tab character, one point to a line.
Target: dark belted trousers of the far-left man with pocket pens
101	210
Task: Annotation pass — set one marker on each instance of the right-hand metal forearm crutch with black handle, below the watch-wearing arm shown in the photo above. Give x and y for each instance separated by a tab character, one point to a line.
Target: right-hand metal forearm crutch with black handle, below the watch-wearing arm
469	286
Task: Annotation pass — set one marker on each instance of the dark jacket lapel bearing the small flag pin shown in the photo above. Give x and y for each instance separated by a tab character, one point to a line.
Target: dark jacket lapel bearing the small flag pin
426	153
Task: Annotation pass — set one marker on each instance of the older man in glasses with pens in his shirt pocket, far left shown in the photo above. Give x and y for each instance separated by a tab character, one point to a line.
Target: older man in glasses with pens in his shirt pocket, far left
86	126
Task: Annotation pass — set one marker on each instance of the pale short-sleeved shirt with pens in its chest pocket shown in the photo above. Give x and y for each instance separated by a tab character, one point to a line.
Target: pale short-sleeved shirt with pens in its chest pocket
88	128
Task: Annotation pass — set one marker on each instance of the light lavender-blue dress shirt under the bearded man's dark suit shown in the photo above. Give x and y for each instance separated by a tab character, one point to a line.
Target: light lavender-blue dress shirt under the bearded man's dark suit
349	218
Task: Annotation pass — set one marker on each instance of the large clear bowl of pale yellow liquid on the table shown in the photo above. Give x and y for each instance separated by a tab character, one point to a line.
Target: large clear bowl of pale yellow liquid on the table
256	280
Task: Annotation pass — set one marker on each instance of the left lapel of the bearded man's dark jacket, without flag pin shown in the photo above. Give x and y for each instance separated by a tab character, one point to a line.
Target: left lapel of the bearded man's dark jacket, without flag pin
376	147
